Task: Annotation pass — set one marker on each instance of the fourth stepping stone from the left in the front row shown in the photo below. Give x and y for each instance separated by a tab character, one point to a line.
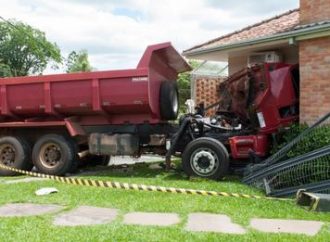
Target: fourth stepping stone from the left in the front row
207	222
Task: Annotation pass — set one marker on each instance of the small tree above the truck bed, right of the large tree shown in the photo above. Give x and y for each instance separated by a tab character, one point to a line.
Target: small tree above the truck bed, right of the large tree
78	62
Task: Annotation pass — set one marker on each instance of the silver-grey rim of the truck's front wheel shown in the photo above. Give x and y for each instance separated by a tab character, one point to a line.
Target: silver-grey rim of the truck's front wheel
204	162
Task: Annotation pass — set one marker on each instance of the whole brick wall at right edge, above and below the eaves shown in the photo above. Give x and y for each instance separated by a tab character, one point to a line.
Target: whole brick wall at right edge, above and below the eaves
314	59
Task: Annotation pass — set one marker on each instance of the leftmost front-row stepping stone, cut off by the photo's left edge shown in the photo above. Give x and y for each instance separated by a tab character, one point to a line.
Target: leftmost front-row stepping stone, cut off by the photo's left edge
27	209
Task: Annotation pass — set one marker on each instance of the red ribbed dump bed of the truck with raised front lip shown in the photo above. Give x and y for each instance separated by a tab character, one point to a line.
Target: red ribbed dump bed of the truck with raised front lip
102	97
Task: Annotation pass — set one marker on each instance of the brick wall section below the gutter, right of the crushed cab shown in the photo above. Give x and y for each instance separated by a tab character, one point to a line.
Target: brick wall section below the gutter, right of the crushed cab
314	58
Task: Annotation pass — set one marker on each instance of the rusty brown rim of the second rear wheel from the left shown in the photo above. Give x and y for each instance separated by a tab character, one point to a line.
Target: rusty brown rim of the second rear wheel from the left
50	155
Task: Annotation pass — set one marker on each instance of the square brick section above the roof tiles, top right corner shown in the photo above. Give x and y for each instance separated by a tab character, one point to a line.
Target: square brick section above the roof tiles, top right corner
314	11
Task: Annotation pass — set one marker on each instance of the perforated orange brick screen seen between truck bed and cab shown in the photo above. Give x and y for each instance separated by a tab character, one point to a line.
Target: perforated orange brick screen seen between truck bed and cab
206	90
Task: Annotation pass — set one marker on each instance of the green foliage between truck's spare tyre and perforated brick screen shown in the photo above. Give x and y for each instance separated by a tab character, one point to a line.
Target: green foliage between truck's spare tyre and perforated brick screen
184	86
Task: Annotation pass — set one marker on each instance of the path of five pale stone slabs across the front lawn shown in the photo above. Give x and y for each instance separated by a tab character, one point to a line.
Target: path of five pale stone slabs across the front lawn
197	222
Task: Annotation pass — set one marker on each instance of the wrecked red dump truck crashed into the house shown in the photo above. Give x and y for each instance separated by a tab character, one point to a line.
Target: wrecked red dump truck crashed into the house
46	121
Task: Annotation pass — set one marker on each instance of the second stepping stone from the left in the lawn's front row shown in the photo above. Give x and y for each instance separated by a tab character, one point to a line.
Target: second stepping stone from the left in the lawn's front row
86	215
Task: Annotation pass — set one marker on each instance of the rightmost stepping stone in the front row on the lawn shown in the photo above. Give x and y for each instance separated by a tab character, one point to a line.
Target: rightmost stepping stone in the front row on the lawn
286	226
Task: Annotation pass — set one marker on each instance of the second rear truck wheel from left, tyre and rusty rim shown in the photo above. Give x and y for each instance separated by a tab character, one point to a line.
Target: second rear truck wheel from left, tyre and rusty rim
54	154
